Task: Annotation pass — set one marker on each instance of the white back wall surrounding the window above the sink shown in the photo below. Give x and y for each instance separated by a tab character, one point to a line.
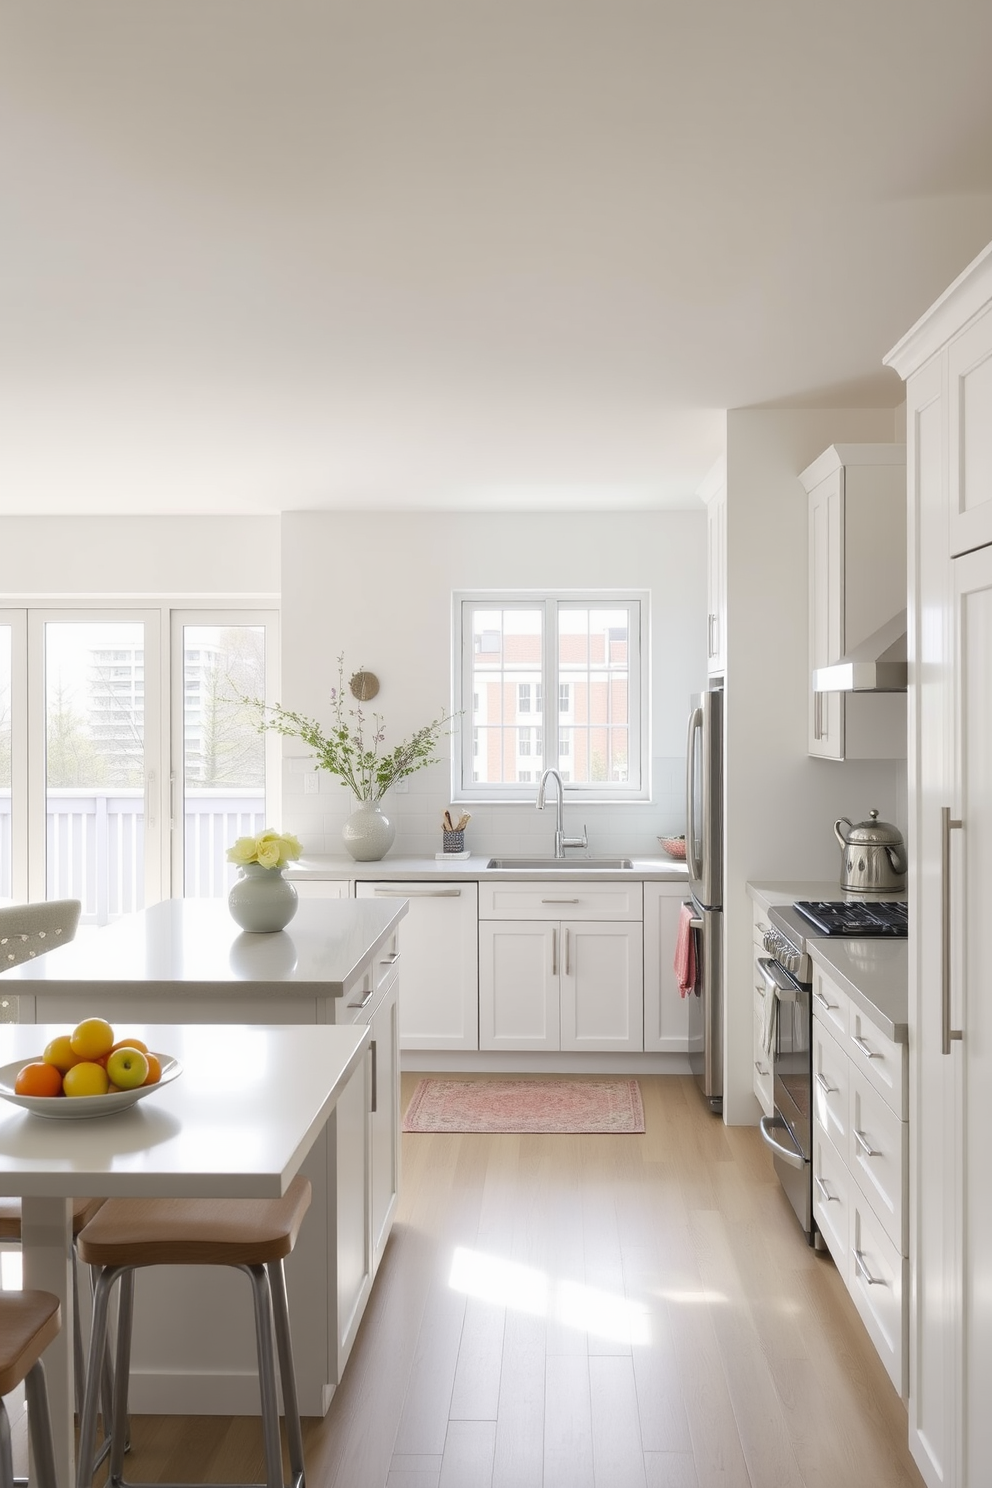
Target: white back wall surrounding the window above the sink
380	589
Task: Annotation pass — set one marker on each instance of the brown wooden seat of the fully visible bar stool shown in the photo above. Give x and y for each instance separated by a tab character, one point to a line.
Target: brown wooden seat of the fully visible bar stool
196	1233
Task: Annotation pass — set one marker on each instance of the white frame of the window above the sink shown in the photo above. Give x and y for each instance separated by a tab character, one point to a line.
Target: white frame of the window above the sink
550	682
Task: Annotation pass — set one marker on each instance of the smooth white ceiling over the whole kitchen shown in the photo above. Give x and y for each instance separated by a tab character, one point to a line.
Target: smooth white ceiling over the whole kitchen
462	254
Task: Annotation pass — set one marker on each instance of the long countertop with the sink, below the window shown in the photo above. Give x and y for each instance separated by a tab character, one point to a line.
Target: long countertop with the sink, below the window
390	870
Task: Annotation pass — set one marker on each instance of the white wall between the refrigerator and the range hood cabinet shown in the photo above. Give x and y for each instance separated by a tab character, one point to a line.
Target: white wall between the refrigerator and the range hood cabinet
782	804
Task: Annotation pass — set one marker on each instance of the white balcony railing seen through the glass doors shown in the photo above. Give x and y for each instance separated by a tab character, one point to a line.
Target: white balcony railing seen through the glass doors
96	846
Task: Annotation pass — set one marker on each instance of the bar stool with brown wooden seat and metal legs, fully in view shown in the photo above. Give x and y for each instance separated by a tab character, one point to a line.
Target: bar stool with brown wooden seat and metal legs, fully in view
254	1236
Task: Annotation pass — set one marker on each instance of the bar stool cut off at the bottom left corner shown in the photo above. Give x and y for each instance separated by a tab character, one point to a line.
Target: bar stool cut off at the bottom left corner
29	1322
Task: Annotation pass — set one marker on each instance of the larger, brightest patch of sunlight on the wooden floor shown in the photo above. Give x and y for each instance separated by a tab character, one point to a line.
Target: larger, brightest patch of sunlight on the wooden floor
524	1289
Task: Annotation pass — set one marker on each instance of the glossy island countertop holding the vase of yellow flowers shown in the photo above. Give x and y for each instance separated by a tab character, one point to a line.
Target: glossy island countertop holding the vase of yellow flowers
185	946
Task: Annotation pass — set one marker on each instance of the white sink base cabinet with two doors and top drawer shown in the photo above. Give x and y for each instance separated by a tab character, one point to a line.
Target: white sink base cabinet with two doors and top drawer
550	983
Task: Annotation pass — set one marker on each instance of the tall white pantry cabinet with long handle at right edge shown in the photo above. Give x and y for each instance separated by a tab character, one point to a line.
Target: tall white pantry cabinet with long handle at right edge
947	361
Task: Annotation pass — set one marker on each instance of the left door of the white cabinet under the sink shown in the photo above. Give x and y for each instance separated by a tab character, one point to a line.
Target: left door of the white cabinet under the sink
518	984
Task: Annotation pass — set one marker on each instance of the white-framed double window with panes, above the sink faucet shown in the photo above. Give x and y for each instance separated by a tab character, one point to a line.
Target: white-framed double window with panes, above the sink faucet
587	651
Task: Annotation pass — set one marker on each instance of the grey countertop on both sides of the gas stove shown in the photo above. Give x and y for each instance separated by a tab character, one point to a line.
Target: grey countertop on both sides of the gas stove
872	971
